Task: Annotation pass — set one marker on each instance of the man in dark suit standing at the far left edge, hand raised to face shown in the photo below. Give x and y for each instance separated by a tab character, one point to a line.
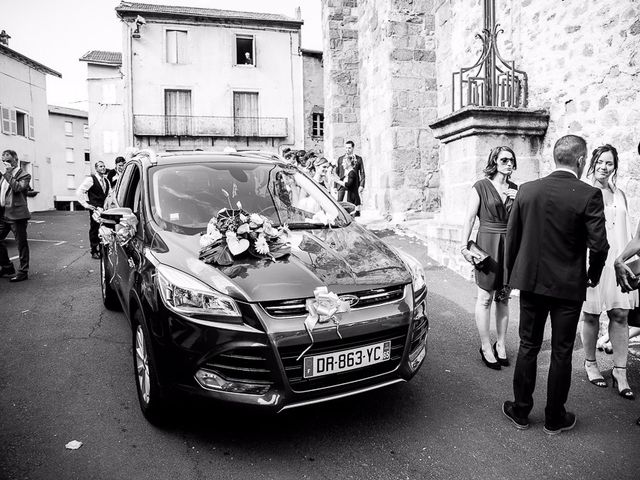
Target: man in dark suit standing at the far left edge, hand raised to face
14	215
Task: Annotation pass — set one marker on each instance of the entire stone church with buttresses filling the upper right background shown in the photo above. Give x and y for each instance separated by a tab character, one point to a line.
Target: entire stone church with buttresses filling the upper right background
388	84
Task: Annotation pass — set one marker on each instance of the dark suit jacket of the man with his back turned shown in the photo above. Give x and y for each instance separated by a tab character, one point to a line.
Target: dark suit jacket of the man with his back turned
553	221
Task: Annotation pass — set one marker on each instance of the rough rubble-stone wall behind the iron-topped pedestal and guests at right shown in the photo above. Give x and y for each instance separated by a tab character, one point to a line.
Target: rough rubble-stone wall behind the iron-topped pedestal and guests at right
583	62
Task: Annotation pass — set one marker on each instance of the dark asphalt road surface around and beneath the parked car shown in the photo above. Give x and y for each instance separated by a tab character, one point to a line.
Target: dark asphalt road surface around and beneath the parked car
65	375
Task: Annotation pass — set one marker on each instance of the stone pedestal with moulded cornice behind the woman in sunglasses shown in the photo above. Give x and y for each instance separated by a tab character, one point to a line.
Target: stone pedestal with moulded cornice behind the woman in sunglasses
467	136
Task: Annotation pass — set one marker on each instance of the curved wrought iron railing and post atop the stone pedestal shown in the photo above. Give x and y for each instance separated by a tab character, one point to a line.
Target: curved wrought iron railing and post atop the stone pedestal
492	80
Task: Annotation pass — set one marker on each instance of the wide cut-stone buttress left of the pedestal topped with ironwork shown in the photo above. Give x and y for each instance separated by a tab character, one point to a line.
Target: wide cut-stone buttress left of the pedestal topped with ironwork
397	81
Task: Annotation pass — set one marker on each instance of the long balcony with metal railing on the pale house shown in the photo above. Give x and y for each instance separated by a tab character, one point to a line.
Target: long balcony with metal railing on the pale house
199	126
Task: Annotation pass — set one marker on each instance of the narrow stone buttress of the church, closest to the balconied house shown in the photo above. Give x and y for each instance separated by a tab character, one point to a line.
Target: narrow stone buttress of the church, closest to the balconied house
342	95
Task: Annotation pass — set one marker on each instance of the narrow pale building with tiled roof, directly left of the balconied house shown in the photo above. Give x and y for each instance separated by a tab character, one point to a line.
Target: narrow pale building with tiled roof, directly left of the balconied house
105	89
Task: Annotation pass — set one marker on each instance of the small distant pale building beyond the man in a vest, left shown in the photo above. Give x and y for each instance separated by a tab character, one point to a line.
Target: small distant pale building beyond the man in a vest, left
69	151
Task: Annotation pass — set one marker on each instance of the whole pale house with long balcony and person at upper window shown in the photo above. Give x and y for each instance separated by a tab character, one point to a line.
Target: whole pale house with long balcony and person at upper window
199	78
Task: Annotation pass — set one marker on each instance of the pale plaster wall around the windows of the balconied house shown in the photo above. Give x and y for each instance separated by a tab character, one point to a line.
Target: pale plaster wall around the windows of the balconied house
212	76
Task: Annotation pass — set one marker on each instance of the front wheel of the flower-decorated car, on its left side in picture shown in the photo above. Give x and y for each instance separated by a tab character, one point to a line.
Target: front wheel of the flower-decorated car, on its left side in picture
153	402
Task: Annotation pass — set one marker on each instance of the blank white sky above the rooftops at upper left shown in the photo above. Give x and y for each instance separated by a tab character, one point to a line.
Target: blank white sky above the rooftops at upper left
57	33
